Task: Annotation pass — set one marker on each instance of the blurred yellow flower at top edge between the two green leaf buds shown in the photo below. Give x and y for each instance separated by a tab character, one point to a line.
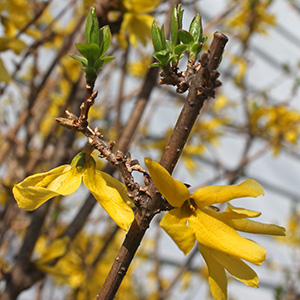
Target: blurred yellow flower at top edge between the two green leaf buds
136	22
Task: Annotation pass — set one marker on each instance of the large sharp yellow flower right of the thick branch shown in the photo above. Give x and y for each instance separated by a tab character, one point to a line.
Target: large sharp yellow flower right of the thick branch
193	219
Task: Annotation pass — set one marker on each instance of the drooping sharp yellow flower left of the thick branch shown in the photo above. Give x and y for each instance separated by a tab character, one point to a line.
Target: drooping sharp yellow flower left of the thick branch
66	179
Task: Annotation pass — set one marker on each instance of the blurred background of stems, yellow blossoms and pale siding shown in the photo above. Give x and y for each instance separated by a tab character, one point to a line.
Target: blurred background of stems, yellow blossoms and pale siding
250	130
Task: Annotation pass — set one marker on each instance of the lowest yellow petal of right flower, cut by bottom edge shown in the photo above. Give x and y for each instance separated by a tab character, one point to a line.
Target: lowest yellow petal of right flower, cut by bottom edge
216	275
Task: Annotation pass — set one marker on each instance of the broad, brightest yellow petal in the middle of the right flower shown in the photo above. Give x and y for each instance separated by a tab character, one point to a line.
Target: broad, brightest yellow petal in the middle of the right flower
212	231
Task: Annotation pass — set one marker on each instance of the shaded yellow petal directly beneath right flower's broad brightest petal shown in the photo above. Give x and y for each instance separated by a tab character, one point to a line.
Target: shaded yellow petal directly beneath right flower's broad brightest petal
236	267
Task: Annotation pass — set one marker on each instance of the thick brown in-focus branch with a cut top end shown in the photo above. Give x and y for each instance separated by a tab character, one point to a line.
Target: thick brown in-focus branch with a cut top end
170	156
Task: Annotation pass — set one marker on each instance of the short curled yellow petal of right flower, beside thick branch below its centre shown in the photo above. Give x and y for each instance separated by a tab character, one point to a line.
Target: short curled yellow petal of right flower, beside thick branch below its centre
174	223
